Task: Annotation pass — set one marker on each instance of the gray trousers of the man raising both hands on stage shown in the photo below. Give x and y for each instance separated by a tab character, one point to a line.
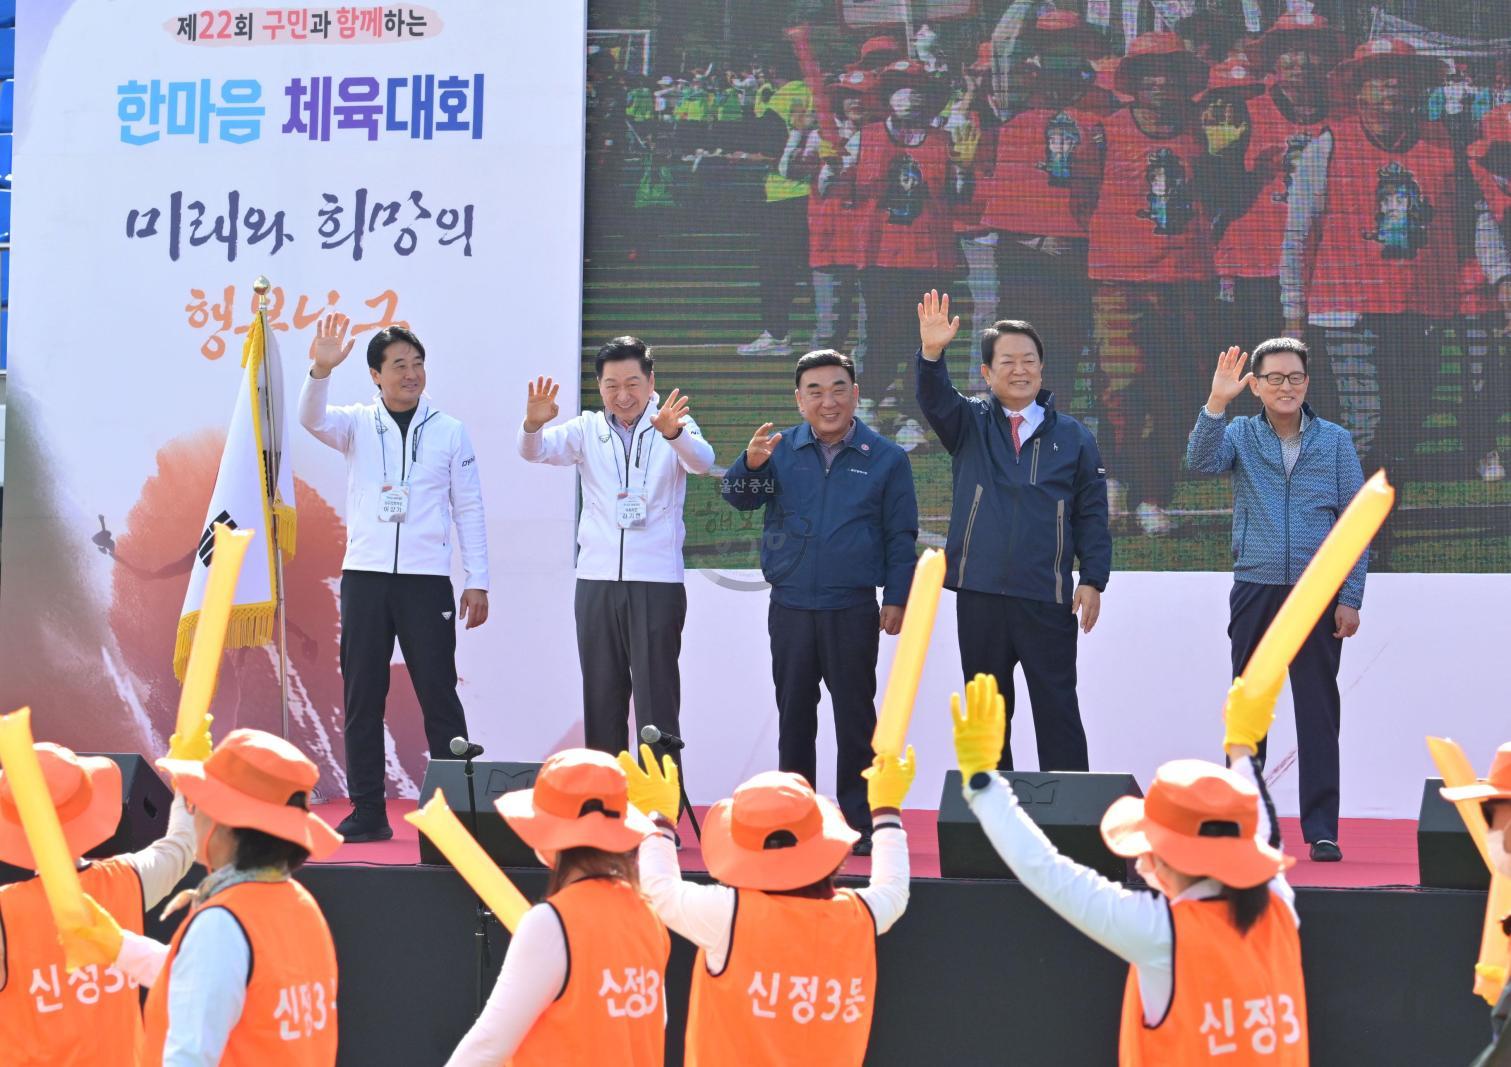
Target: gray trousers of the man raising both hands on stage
629	637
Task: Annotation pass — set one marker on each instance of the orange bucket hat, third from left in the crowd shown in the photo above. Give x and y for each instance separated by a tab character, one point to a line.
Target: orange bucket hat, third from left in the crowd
581	800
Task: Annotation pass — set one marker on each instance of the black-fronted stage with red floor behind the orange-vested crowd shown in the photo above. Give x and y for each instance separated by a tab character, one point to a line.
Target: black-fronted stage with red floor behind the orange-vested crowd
975	973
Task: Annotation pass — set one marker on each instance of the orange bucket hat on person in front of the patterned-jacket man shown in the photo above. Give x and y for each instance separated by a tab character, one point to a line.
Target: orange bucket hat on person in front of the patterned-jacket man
1199	818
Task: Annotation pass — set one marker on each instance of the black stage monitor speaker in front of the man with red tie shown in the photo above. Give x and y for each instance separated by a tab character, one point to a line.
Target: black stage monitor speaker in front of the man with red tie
1066	805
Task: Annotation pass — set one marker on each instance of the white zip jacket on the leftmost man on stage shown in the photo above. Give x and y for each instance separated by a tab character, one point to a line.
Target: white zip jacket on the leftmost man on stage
439	465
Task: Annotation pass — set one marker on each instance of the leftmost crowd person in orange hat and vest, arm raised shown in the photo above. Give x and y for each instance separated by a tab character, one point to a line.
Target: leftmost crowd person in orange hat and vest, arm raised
93	1016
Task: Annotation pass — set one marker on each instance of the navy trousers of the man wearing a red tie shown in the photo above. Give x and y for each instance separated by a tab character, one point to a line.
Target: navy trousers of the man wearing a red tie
997	634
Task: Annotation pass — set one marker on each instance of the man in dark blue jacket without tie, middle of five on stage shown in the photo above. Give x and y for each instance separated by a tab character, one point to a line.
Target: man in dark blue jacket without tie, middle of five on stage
842	519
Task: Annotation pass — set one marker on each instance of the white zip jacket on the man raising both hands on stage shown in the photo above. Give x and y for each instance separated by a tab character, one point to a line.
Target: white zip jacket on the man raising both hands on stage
652	468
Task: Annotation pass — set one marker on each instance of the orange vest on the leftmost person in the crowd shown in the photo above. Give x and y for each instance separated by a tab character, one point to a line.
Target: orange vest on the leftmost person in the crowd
48	1016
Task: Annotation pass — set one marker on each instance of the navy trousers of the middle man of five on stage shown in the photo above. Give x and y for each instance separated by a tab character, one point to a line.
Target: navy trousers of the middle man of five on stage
839	649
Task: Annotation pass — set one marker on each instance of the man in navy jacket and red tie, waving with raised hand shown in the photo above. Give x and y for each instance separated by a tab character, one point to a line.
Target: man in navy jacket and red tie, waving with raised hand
1031	496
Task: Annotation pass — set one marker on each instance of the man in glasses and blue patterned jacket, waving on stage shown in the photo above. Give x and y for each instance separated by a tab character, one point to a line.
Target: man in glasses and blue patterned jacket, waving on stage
1293	477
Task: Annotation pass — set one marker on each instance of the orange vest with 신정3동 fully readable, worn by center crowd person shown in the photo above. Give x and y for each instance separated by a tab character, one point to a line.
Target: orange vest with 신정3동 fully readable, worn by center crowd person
797	988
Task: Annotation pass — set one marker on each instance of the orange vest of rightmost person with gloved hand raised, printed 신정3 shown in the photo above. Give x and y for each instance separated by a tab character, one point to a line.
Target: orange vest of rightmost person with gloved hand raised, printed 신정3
1240	1000
